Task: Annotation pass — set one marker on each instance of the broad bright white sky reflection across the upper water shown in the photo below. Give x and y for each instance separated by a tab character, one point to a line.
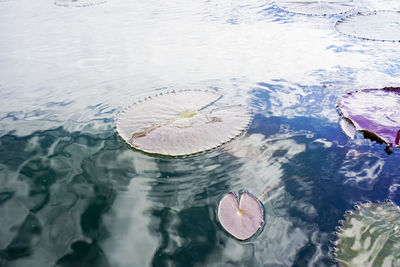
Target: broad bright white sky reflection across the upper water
64	65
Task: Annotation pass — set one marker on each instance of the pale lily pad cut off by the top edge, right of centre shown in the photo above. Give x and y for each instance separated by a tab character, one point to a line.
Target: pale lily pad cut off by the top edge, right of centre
315	7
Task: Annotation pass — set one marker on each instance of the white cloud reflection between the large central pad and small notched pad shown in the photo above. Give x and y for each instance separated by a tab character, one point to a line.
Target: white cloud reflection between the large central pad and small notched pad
263	158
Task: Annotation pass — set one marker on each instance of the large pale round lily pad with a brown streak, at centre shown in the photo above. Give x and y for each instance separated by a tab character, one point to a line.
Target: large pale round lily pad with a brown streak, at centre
181	123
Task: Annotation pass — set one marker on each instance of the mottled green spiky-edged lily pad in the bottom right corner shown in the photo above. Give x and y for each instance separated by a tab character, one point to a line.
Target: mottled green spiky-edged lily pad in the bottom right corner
370	236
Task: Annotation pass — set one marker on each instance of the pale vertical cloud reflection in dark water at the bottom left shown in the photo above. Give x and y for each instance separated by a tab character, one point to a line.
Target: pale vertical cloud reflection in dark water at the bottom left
130	241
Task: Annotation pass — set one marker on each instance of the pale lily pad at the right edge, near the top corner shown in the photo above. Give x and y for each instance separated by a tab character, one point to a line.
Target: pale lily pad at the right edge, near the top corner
379	25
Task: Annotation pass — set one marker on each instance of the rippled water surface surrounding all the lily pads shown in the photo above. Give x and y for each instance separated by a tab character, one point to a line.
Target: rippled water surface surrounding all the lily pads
73	194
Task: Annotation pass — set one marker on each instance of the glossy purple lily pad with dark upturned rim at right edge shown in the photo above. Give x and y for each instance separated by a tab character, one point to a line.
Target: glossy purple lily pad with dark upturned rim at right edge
374	111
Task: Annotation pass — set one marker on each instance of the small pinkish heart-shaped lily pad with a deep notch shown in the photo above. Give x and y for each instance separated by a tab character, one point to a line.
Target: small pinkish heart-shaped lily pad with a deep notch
241	219
